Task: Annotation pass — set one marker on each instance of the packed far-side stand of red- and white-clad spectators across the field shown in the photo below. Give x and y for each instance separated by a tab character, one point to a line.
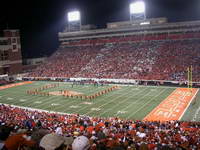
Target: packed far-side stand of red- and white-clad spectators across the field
144	60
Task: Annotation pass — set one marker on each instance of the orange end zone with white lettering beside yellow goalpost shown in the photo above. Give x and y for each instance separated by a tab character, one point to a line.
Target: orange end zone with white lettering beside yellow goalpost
174	106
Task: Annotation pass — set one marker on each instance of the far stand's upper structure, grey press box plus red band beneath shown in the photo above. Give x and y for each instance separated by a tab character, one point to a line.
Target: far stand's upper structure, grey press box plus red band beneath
139	30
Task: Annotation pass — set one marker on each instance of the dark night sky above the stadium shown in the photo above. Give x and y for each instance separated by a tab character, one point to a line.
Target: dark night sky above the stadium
39	21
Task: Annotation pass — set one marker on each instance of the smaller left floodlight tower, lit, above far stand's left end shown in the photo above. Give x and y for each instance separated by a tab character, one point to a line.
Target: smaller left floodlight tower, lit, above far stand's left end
74	21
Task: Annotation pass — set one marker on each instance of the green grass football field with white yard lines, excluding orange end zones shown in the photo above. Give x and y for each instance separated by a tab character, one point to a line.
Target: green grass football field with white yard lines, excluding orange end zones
128	102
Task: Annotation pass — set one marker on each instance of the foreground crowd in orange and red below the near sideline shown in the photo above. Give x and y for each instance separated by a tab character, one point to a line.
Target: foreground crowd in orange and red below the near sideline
42	130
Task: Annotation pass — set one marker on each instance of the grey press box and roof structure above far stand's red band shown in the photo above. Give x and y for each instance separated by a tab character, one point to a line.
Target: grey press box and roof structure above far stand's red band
156	26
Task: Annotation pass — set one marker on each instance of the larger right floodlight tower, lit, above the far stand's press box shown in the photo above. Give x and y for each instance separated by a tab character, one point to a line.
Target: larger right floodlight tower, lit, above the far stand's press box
137	10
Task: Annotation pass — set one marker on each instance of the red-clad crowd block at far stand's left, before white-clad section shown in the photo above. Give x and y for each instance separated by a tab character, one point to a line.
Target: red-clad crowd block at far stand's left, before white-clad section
66	62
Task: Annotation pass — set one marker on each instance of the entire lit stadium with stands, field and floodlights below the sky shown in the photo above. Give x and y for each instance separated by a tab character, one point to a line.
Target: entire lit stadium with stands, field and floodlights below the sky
132	85
